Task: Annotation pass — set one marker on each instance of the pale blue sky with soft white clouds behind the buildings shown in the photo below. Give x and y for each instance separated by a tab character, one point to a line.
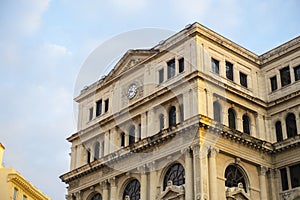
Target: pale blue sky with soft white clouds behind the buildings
45	43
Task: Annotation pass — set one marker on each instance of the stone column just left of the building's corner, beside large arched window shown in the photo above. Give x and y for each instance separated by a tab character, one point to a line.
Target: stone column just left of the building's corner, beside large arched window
189	193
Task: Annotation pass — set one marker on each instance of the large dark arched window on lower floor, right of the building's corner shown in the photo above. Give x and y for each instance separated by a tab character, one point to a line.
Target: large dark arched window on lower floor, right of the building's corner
234	176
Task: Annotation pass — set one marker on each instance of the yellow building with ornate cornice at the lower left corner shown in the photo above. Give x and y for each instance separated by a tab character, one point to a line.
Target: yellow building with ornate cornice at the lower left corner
15	187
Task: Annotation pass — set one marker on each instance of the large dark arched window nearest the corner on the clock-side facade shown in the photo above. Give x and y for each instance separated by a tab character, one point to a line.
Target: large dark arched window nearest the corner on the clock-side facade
175	174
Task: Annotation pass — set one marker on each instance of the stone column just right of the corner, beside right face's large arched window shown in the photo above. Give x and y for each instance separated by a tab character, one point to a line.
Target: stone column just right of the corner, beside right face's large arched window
213	187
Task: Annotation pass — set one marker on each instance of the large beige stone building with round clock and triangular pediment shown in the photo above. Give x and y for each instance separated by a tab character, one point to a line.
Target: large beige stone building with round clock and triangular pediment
195	117
